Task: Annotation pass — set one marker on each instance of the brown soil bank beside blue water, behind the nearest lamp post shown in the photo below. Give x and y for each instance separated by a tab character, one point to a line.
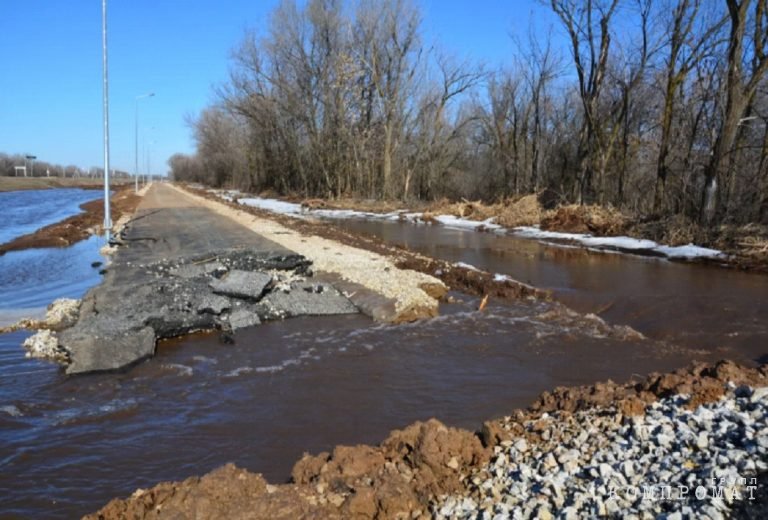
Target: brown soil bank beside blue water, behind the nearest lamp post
77	227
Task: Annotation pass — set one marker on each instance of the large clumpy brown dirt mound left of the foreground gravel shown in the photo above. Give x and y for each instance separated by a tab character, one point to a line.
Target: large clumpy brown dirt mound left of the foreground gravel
395	479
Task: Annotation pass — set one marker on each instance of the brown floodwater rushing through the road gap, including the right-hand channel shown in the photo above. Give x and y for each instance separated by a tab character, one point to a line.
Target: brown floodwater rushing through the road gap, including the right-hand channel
69	444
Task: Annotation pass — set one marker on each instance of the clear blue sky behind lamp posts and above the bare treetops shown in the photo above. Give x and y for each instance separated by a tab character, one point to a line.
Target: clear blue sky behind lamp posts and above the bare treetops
50	51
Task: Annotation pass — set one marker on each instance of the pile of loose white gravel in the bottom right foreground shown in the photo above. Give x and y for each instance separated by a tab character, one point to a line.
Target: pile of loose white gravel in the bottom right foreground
671	463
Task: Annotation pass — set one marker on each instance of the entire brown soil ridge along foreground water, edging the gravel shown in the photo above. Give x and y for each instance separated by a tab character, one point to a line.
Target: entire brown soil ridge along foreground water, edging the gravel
399	477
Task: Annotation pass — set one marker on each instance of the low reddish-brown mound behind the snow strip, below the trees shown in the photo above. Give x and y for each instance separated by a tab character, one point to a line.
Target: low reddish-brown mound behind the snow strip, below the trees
597	220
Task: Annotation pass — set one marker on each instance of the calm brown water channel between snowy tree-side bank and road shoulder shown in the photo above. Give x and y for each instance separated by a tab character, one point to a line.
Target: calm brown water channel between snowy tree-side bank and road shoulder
698	306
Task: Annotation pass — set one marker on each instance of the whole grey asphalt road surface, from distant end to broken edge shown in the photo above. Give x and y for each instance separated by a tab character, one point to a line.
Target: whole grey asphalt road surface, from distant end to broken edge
181	268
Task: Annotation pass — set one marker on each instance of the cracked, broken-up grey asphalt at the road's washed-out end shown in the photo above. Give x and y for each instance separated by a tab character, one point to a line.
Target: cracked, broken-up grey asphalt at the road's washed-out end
117	332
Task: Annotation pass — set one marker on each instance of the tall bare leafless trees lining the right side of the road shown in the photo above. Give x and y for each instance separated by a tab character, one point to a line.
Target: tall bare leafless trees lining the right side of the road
658	107
